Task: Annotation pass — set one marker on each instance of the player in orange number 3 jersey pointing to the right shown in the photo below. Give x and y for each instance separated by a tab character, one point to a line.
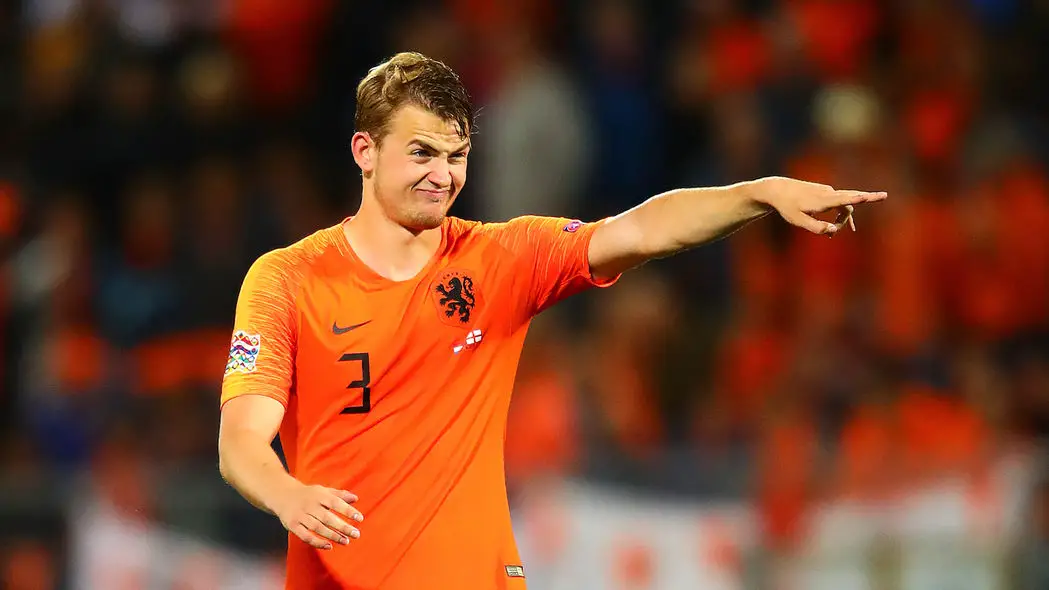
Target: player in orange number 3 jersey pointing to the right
384	349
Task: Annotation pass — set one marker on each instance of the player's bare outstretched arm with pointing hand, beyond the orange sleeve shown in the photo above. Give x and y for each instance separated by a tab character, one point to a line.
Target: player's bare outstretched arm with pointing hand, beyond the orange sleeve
683	219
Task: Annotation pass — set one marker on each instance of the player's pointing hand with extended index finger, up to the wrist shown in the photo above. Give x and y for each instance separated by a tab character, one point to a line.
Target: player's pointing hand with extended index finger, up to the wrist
799	201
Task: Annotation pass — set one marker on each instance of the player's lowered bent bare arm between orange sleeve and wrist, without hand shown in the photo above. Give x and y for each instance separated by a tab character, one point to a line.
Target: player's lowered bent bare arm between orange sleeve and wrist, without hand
246	458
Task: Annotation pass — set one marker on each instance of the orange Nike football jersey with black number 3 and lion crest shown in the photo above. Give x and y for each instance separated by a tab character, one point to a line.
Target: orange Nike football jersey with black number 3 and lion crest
399	392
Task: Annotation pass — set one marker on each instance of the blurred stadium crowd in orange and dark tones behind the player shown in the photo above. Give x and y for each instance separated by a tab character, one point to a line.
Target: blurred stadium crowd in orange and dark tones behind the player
773	411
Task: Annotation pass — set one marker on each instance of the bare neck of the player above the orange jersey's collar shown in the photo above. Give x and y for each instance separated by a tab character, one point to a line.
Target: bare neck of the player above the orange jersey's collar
389	248
